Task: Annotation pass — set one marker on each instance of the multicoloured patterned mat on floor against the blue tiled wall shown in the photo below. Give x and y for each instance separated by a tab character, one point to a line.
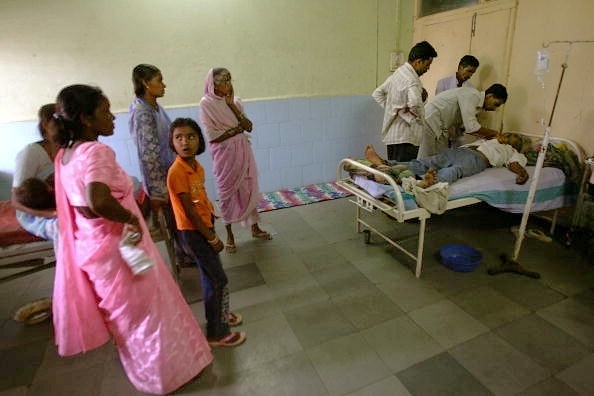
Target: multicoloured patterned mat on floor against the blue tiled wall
301	196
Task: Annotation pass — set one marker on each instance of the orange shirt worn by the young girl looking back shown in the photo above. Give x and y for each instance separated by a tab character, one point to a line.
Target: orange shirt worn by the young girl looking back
181	178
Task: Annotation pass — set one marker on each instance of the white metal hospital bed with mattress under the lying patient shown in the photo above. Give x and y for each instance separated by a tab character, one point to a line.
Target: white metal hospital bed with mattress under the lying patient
557	188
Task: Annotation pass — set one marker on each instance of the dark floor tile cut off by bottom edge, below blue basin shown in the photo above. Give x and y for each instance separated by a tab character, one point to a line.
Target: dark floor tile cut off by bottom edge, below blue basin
441	375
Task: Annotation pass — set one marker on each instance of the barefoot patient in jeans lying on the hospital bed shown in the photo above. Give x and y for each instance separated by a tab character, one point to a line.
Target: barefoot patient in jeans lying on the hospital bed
453	164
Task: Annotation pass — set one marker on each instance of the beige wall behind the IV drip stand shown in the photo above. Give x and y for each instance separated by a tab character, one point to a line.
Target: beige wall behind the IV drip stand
542	21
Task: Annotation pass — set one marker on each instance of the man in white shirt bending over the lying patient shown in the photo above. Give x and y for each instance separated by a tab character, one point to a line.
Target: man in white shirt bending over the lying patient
455	108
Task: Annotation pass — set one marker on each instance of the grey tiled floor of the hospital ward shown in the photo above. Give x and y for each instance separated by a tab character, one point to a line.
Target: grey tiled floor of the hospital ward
326	314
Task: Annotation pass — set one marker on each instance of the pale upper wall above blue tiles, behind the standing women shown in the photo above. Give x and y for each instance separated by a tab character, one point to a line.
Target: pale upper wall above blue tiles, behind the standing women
274	48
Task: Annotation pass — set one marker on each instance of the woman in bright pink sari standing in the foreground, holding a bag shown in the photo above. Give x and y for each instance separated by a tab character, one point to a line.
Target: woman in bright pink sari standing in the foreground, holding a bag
96	295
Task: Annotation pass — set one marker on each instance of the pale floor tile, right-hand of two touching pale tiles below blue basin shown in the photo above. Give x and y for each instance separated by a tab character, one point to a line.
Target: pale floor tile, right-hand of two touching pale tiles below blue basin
447	323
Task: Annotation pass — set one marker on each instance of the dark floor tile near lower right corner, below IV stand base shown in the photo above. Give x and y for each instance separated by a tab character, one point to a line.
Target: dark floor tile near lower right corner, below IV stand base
546	344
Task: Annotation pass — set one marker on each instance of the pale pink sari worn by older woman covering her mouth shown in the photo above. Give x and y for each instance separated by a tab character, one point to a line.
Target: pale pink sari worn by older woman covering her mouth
234	165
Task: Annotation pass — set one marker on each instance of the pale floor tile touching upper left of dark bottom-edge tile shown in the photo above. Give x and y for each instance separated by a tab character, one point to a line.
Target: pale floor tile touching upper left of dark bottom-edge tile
401	343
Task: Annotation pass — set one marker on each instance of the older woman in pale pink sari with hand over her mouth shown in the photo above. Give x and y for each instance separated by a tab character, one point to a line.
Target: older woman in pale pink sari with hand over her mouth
234	166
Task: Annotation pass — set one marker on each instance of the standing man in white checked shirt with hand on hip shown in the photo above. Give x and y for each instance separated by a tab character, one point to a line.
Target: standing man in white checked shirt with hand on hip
401	98
